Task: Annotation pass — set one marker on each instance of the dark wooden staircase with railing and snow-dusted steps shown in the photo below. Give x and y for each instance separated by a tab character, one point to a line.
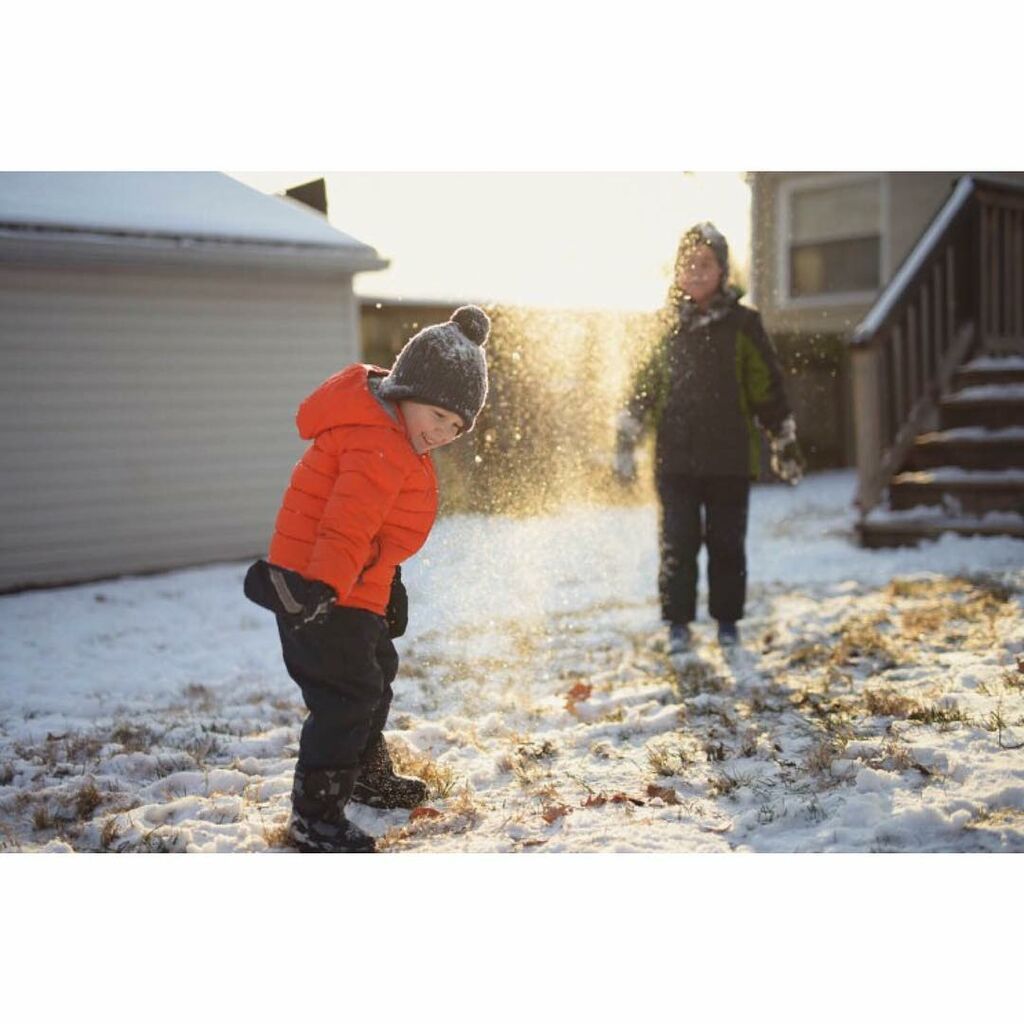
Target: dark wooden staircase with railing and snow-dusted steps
940	379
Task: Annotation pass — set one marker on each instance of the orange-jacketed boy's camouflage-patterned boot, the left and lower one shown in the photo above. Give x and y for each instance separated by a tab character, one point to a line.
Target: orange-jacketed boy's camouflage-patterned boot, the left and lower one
319	824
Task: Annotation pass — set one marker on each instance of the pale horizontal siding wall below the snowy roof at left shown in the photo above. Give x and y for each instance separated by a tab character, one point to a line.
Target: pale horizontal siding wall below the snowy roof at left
147	416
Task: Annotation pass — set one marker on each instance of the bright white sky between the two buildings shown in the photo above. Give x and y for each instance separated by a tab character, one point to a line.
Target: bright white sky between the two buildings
570	240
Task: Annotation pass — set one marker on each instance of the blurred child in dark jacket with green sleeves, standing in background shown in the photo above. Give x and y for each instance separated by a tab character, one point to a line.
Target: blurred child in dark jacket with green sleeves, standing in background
711	380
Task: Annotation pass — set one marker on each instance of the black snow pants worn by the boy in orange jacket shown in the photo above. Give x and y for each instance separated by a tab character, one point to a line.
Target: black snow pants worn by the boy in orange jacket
345	667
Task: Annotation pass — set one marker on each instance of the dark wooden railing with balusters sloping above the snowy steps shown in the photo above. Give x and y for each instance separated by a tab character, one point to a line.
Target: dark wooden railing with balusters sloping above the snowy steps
963	284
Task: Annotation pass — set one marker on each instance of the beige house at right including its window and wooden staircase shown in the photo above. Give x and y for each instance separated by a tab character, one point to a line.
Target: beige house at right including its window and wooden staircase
915	283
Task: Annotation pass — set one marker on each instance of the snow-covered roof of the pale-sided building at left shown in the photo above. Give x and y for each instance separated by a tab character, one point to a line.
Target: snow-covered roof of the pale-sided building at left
179	205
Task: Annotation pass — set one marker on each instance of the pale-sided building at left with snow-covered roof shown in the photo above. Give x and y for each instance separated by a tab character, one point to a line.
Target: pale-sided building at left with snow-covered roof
157	333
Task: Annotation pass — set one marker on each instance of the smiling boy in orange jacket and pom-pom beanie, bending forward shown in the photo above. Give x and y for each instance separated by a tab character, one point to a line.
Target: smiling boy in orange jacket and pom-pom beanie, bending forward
362	500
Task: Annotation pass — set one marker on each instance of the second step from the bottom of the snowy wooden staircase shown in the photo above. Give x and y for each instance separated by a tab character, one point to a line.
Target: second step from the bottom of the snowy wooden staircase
960	490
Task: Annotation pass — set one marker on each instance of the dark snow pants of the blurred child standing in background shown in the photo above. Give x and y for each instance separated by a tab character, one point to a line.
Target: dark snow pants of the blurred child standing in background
724	501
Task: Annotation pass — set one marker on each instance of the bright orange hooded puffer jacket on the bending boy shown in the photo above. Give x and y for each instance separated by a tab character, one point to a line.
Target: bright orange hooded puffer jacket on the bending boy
361	500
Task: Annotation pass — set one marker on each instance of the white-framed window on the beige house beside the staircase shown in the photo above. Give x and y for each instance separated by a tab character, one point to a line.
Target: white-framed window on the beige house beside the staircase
835	238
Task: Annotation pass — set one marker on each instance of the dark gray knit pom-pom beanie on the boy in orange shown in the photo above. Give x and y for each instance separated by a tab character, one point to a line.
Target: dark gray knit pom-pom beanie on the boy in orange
445	366
